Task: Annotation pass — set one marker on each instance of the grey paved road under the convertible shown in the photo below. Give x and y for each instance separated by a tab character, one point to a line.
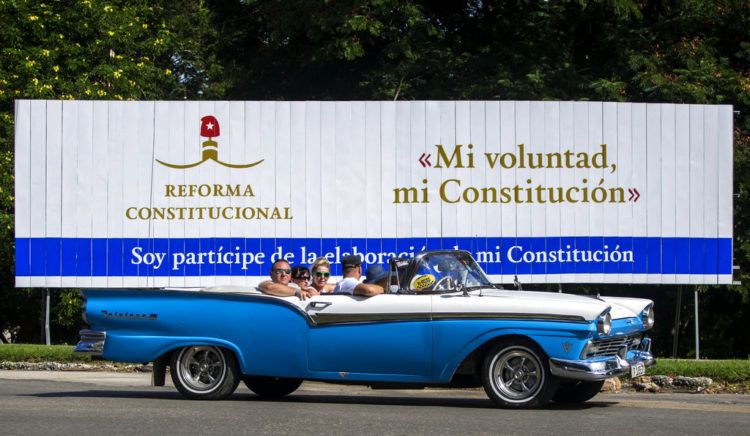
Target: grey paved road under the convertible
110	403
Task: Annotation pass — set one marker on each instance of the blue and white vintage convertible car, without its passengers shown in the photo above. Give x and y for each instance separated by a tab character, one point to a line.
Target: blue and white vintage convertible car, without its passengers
441	322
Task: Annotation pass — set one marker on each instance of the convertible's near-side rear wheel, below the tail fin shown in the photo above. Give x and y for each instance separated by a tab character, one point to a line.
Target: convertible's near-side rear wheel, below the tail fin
205	372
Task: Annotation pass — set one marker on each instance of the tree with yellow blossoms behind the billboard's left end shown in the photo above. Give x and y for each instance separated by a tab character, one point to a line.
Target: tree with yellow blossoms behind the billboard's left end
90	49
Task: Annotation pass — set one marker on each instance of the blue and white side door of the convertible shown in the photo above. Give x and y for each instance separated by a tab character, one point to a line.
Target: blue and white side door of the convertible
358	338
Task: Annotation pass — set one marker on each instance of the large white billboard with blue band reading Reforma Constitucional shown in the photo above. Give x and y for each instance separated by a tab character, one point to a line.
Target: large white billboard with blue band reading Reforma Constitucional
174	193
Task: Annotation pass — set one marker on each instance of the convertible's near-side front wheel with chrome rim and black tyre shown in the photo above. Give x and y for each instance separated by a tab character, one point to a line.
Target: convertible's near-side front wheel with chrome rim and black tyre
515	374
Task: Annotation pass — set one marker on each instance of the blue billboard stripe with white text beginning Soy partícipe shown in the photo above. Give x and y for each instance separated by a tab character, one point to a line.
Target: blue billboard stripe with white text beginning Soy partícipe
253	256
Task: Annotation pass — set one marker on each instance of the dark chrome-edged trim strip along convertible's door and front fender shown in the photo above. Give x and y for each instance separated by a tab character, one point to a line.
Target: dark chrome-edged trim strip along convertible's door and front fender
322	318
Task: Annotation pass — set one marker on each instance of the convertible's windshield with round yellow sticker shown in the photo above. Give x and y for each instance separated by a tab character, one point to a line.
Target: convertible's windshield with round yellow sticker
445	272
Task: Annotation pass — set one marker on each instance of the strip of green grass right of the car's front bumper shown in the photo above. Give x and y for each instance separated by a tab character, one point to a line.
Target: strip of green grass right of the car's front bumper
731	371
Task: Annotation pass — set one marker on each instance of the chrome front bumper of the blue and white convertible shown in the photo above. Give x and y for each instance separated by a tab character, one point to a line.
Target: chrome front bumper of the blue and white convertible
600	369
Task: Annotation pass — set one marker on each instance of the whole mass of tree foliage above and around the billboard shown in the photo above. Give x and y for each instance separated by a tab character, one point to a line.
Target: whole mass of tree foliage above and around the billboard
680	51
